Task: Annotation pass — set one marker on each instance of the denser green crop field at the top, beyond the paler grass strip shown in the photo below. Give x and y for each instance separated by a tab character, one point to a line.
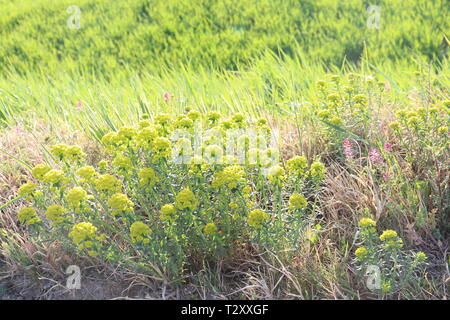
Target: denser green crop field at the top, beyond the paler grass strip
156	34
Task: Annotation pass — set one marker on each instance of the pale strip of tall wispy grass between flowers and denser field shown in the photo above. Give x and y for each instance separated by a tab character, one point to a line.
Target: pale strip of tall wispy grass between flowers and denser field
271	86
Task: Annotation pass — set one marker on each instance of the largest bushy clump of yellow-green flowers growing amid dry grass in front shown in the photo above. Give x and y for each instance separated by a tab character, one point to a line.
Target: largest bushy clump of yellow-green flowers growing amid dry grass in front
141	207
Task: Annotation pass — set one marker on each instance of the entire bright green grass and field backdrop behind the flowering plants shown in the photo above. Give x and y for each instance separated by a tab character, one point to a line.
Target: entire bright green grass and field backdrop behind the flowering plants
232	55
